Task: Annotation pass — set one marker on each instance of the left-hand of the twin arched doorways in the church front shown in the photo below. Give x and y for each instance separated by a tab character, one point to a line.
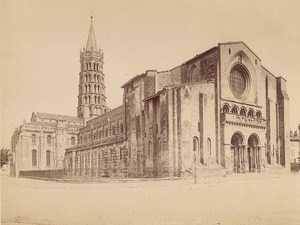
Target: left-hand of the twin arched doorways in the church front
238	153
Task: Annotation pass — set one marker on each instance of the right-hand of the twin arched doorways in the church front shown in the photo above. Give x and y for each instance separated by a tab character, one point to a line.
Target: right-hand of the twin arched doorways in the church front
254	154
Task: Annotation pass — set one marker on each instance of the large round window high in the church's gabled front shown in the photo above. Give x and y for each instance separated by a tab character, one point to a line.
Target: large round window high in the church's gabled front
239	81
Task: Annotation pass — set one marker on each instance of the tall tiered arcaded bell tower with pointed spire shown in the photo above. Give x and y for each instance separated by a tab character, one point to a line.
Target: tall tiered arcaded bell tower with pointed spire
91	97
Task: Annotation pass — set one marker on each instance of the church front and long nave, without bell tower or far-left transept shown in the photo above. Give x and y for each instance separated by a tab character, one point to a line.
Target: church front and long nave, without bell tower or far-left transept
222	108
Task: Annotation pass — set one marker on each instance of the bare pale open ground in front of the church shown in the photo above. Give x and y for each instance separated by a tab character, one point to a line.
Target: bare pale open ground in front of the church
236	199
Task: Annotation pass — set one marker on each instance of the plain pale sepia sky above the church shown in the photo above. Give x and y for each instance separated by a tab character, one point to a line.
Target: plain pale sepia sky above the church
41	40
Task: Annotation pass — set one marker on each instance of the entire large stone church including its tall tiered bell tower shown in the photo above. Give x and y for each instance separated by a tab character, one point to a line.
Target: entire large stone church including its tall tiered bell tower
220	110
